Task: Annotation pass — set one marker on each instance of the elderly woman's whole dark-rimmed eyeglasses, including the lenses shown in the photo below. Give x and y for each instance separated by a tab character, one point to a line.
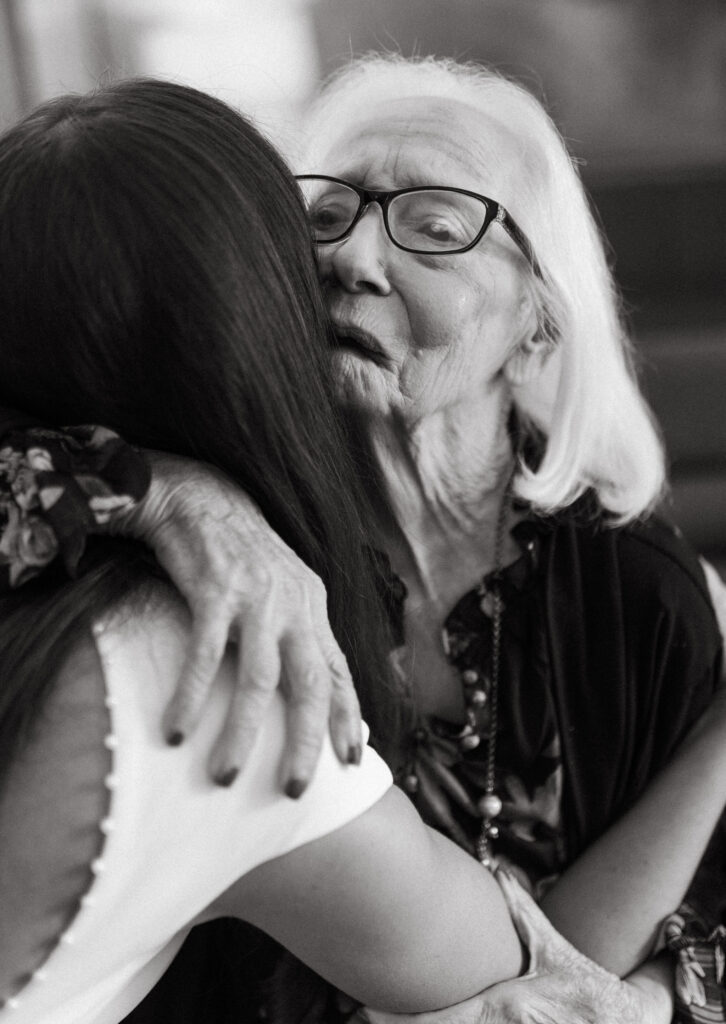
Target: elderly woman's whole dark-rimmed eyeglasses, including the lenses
428	221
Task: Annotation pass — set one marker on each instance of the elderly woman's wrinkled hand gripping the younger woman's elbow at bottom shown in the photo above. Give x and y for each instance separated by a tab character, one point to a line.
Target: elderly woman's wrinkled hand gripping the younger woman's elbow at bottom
562	987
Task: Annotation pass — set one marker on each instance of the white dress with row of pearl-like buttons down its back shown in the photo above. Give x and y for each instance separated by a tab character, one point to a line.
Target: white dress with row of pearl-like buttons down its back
172	841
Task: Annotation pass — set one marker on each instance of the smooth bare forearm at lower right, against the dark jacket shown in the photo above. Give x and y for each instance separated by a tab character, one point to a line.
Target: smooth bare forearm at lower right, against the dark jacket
612	902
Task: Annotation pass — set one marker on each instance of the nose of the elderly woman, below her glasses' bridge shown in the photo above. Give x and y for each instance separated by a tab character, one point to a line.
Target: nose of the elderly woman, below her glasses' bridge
360	262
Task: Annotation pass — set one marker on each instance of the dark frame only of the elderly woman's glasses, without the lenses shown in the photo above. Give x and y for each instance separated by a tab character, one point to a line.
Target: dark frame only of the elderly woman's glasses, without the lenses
496	214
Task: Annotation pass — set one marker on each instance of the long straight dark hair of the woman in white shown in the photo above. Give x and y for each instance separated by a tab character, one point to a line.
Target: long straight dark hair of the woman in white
156	277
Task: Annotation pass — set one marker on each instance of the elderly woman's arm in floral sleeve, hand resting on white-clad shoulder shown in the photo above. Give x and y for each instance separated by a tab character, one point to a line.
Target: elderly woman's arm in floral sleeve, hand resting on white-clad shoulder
237	576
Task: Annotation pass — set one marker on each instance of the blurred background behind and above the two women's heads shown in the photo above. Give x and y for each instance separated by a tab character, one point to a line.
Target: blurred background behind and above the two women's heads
638	89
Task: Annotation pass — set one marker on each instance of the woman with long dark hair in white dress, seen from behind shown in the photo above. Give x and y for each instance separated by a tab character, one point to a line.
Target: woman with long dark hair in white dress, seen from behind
157	277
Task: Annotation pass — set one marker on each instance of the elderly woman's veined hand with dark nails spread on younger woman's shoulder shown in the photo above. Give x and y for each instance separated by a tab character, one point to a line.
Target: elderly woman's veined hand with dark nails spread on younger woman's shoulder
243	583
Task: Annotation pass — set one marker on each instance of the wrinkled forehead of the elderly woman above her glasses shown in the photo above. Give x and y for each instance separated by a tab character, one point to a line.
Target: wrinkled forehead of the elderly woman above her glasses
425	141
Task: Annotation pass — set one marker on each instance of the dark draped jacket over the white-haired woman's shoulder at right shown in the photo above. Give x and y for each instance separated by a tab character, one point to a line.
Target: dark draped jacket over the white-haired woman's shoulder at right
636	654
